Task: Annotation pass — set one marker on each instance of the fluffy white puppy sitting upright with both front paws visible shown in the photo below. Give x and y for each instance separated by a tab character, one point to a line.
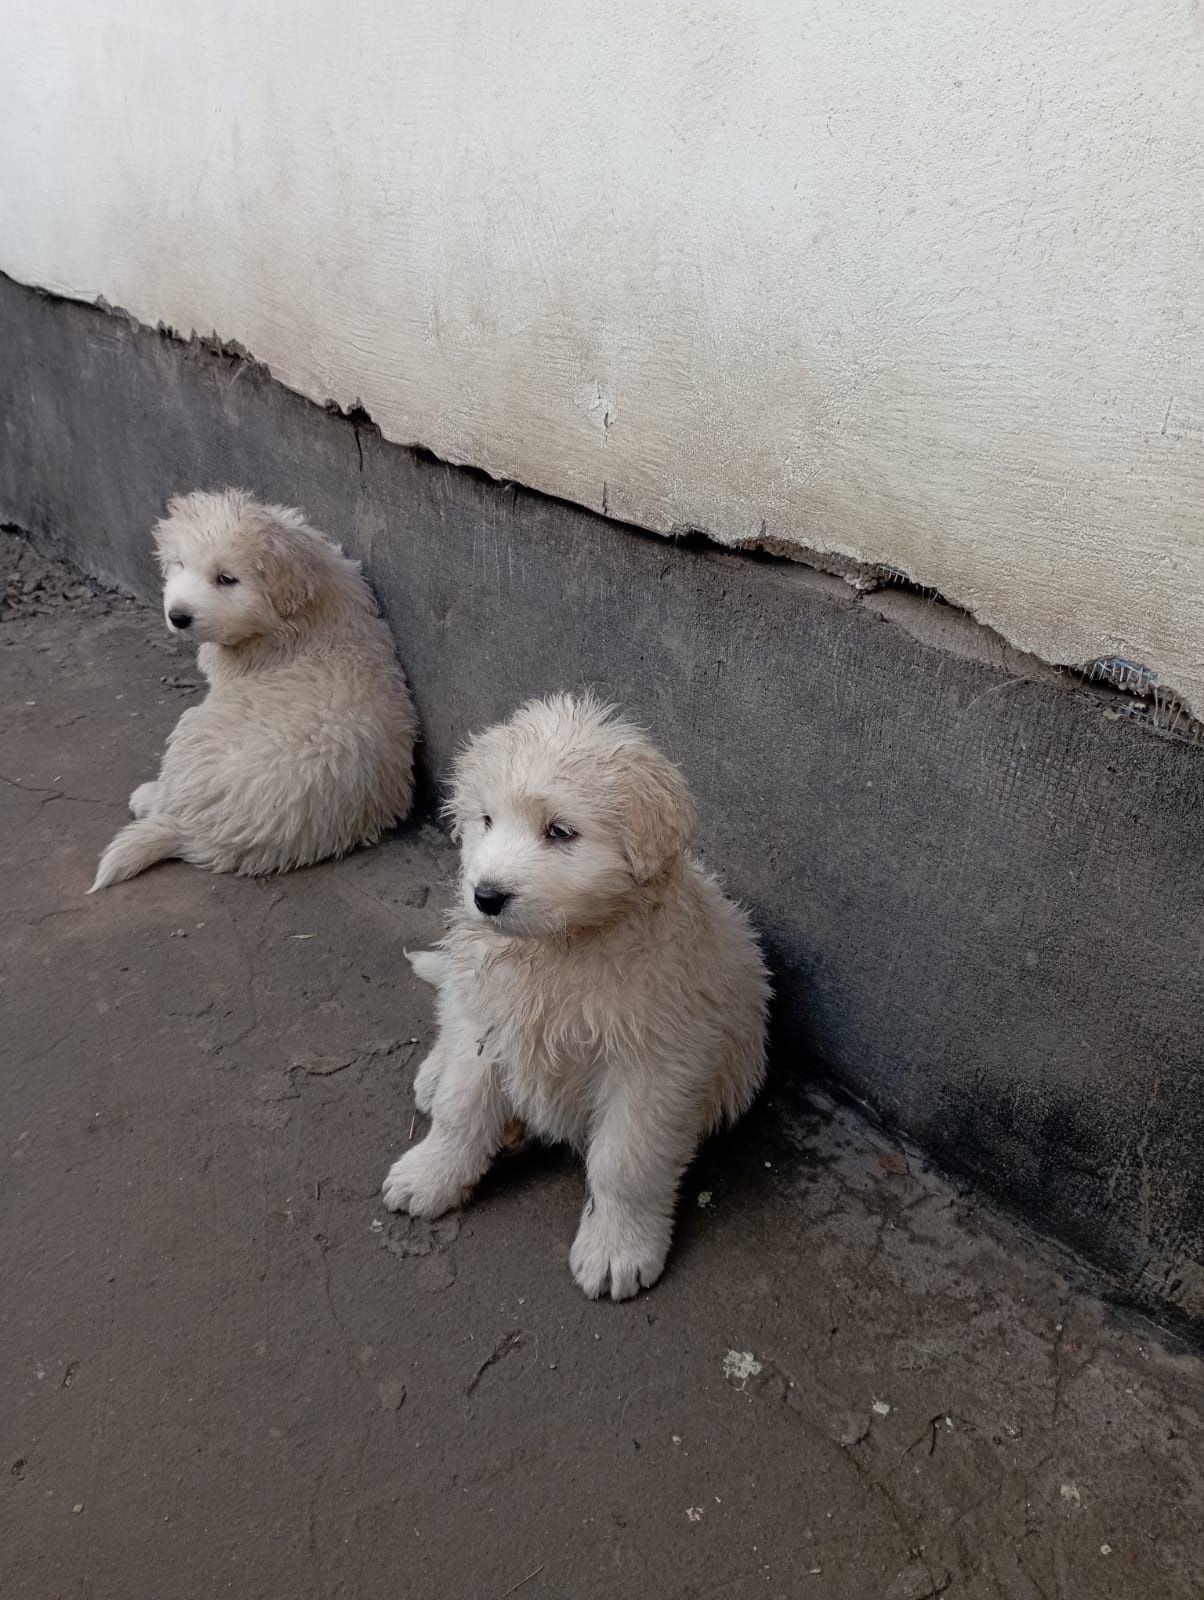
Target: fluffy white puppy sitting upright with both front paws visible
595	985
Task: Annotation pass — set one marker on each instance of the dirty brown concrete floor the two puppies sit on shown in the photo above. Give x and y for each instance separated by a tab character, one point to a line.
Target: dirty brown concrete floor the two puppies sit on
227	1370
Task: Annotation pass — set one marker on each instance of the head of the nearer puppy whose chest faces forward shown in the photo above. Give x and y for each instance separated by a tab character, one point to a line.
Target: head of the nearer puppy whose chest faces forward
563	814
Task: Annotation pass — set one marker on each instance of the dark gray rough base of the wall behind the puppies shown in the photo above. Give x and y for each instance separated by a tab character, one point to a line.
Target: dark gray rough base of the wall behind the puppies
984	897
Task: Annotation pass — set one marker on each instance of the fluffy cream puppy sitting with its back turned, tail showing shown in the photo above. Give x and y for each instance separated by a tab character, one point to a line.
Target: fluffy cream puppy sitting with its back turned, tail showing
303	748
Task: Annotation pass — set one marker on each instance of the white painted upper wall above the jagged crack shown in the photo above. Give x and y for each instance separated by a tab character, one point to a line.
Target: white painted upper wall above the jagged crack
905	281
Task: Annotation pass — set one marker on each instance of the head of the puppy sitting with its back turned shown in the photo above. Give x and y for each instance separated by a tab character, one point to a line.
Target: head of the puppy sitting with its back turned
236	570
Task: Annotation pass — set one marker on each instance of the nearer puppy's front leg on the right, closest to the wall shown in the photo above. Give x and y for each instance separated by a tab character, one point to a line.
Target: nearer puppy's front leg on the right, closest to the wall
635	1167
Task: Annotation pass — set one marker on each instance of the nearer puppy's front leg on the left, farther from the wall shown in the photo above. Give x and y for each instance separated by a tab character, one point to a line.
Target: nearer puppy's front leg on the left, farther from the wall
468	1119
